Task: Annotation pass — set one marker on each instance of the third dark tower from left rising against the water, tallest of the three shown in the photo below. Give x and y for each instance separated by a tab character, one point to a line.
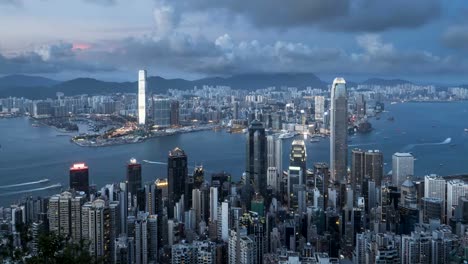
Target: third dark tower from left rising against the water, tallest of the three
176	174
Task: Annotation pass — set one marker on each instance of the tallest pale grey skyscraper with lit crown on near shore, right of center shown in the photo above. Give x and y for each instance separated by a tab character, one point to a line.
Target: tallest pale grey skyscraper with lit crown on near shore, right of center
338	131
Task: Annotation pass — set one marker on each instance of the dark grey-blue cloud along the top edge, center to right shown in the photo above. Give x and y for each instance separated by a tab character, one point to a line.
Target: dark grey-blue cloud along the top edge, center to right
335	15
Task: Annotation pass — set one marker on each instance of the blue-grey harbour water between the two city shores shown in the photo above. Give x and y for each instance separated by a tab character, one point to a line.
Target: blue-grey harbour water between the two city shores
30	153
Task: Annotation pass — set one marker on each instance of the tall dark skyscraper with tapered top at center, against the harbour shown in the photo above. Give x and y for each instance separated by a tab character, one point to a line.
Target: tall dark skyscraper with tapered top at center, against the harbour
257	157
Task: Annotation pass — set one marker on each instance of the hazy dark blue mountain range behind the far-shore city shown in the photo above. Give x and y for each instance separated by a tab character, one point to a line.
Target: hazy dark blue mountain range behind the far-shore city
34	87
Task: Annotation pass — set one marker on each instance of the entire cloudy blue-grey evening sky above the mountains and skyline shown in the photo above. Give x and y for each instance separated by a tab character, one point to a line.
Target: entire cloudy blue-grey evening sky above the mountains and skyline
420	40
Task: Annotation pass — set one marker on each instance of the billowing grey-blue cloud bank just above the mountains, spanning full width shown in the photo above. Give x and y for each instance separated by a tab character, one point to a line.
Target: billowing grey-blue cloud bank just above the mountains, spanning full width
177	52
